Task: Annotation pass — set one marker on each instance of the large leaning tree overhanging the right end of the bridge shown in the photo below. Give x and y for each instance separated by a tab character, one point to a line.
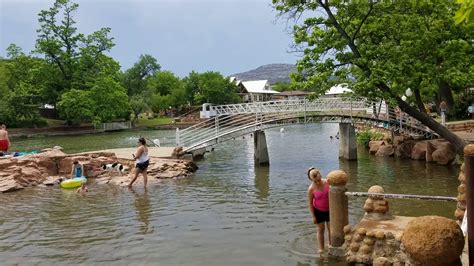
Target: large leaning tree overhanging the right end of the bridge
381	48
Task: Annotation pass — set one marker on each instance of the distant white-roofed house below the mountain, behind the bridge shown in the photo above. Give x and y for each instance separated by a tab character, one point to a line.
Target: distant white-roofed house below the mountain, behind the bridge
255	90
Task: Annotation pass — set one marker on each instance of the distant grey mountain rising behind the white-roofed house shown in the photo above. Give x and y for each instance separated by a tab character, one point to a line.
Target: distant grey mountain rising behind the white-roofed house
273	73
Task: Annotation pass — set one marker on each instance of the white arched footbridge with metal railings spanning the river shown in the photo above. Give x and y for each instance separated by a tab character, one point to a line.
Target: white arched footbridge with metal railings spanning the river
225	122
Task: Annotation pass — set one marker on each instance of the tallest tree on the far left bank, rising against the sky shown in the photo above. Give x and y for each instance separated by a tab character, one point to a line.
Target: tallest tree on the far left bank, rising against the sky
73	54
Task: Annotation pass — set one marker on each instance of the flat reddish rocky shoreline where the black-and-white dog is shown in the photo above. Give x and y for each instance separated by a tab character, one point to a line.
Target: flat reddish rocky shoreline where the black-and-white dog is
52	165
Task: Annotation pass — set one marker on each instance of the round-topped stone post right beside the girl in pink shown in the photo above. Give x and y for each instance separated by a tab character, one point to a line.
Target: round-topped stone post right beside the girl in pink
338	211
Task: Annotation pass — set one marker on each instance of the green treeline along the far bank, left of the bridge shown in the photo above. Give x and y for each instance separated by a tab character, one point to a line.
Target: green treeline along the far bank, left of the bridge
73	73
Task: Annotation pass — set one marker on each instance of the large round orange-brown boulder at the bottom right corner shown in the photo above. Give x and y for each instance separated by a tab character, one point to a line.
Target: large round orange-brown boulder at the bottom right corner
433	240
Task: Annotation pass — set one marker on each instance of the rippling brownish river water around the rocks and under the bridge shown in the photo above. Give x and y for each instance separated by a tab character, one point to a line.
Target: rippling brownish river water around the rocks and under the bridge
228	213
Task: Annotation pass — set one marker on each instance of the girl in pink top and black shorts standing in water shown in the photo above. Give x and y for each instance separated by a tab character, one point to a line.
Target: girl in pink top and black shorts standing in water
318	204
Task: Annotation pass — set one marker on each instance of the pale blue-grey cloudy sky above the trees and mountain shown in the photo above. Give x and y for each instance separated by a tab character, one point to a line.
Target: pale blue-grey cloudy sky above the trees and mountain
229	36
